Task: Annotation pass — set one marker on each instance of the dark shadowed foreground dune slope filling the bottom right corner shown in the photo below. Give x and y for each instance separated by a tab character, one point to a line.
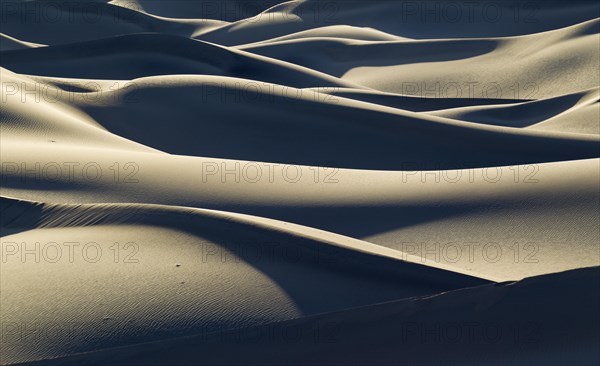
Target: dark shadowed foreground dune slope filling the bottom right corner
408	330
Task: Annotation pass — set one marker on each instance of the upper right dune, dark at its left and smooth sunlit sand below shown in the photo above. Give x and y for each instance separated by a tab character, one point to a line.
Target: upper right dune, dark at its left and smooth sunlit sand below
398	66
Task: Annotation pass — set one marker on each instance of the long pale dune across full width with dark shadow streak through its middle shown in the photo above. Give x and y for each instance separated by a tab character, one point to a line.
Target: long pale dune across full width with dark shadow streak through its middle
550	206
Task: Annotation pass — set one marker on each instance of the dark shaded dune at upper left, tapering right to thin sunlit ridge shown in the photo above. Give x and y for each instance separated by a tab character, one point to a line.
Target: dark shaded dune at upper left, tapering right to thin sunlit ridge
133	56
